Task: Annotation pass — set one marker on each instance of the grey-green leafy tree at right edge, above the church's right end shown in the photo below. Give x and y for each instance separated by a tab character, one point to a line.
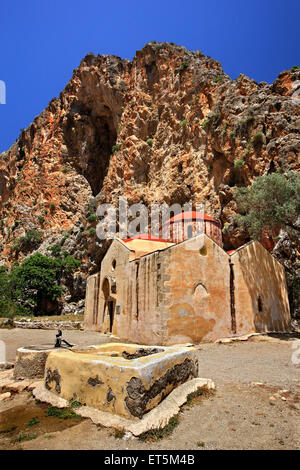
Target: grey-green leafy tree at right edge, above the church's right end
270	203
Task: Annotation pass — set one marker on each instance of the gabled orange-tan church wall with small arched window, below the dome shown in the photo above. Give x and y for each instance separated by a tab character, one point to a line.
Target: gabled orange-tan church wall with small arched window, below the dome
197	292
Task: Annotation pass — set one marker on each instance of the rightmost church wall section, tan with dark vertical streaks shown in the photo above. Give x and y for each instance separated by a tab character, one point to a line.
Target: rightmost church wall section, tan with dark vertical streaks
260	292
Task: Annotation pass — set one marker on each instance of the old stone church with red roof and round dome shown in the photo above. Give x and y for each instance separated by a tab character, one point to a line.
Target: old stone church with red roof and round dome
186	288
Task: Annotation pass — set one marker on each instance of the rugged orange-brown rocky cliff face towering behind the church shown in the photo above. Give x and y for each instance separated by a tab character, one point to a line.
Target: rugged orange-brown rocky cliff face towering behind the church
209	134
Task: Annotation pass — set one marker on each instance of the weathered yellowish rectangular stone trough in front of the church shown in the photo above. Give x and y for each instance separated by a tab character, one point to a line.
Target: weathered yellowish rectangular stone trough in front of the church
123	379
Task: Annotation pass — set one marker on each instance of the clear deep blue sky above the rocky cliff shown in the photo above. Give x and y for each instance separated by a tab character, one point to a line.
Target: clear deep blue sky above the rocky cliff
43	41
